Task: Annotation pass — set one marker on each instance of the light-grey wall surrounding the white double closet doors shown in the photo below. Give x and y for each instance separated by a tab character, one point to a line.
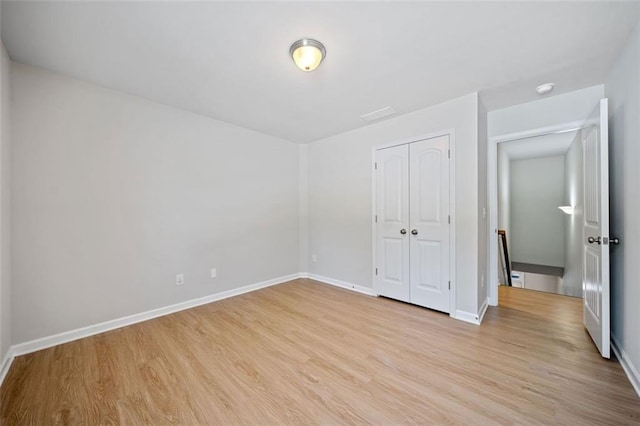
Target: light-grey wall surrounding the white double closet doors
340	195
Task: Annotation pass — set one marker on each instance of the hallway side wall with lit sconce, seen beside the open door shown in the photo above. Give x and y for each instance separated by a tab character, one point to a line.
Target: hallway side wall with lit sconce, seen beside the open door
572	279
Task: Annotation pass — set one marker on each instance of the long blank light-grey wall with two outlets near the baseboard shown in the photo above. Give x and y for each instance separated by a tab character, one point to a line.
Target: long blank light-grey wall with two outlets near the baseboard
113	195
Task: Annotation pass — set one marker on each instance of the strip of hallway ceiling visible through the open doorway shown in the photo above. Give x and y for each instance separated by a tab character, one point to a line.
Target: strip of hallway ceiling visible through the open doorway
538	146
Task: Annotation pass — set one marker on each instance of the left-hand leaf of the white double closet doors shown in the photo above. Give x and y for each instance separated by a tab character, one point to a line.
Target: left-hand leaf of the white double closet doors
392	215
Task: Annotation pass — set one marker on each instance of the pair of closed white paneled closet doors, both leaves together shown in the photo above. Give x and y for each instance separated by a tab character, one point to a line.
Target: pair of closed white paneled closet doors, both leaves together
413	223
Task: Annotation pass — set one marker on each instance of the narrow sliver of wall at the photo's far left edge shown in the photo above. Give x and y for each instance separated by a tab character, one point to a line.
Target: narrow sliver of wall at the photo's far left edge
5	198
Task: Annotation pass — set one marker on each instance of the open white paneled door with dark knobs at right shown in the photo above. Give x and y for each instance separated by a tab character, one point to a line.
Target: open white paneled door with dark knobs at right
595	275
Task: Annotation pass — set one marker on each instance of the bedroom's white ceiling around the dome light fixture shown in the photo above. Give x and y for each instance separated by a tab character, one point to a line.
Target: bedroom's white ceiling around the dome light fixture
229	60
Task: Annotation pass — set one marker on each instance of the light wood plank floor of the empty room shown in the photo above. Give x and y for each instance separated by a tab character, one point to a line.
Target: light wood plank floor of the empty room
305	352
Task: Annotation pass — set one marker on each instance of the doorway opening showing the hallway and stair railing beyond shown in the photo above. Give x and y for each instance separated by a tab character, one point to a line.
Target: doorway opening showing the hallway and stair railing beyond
539	207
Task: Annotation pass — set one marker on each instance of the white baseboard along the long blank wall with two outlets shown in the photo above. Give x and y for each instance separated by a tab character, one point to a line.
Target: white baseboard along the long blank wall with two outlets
68	336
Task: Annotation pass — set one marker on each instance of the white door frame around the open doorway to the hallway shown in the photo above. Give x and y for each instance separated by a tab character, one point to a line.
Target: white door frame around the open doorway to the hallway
492	178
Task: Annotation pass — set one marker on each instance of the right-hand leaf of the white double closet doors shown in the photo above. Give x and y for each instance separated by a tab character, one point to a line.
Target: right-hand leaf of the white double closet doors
429	223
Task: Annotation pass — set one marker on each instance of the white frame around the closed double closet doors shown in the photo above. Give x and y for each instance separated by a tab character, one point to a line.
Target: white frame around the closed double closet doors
452	207
